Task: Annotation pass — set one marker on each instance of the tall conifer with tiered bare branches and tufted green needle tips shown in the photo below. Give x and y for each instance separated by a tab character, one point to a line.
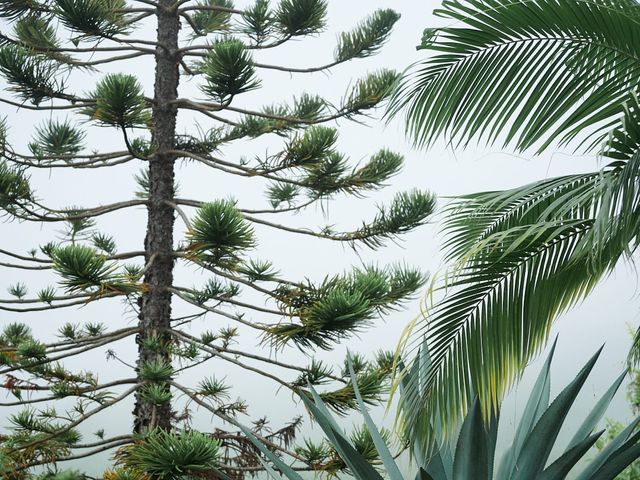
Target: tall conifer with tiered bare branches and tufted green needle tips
47	48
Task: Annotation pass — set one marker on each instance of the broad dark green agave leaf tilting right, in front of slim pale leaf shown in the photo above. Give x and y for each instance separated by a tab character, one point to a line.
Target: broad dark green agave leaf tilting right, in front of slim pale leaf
538	444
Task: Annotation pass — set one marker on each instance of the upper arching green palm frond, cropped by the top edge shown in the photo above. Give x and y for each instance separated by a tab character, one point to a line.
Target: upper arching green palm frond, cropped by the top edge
529	72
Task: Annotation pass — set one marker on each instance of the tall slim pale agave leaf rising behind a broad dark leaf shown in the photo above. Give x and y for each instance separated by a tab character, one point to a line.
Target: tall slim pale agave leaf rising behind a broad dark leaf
536	405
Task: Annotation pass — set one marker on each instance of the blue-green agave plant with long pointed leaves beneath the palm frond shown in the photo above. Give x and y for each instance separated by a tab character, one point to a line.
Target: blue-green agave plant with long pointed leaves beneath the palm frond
474	455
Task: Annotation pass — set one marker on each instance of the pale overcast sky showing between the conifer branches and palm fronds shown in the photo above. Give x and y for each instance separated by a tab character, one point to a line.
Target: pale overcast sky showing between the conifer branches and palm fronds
604	318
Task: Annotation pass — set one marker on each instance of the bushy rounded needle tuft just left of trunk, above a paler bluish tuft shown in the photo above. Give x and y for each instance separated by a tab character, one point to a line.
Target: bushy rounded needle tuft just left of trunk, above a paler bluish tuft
119	101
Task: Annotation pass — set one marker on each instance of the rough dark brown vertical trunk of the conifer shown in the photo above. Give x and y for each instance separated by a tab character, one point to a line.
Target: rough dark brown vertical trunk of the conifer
155	311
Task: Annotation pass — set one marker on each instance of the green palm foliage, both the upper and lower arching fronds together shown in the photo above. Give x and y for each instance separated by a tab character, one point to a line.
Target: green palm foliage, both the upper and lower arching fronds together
518	258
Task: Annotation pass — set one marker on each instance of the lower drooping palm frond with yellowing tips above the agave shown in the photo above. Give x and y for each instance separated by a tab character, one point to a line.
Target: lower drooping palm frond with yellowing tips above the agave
520	257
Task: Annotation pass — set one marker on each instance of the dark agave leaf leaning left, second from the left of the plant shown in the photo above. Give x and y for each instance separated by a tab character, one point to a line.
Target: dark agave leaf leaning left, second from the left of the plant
358	465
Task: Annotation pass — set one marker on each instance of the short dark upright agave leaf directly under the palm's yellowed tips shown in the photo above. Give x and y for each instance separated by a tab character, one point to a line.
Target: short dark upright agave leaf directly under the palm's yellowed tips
476	446
